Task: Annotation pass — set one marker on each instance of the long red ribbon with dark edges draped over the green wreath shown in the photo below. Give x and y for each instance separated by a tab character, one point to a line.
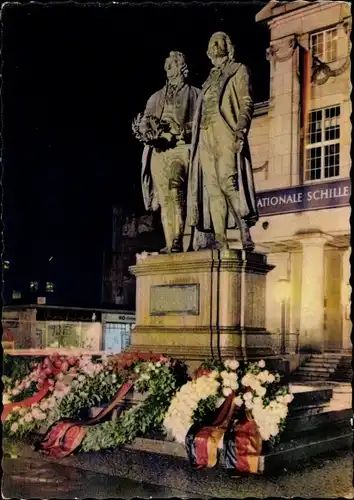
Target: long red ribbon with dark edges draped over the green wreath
65	436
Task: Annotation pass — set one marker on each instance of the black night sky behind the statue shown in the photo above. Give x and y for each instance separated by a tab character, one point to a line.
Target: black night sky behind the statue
74	77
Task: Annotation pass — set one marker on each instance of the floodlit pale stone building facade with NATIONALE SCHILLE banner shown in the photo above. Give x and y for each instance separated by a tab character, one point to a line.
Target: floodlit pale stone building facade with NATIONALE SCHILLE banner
300	144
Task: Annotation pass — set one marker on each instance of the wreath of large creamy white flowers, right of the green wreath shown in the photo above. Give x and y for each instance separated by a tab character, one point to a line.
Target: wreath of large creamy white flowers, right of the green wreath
254	388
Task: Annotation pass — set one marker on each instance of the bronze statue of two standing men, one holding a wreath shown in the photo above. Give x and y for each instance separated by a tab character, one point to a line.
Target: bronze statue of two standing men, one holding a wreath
196	160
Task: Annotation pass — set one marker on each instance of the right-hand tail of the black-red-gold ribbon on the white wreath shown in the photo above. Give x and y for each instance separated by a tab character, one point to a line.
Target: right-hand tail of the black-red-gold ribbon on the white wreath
243	446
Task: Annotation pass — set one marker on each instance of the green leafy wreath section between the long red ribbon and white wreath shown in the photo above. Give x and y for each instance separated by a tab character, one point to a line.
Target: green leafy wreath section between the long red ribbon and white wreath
158	379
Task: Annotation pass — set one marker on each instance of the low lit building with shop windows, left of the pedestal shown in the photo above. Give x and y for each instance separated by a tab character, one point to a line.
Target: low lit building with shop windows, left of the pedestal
43	328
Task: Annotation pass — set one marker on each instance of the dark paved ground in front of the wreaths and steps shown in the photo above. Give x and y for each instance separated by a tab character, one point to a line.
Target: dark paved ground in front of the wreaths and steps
132	473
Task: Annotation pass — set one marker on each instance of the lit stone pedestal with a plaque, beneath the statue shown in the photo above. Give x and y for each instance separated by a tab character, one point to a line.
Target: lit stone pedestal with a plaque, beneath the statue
202	304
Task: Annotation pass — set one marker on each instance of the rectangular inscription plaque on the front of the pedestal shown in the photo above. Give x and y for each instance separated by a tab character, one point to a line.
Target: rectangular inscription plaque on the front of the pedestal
167	300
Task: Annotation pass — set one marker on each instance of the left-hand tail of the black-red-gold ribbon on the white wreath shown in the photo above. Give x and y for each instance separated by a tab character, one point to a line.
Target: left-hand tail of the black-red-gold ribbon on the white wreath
202	441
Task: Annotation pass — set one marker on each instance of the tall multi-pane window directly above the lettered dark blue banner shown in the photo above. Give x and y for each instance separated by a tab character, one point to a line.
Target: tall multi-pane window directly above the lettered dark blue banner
322	147
